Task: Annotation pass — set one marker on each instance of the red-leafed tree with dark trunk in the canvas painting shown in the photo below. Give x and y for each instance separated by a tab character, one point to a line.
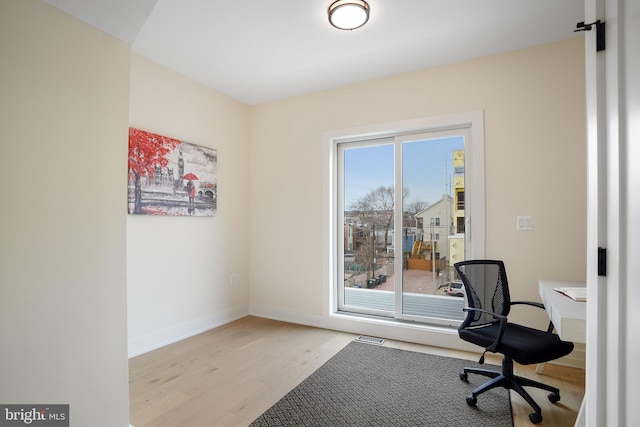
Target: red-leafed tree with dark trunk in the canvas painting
146	152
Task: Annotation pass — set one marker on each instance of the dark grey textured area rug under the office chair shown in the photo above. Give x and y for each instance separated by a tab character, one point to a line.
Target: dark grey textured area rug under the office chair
370	385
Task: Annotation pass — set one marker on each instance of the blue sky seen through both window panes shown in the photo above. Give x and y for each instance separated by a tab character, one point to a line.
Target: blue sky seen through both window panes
427	169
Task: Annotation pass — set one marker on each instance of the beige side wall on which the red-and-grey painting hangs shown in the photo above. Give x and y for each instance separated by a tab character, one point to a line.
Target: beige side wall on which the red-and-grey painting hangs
179	268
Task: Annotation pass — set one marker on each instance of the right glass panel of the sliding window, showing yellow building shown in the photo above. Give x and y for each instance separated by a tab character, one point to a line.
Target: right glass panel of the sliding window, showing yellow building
432	177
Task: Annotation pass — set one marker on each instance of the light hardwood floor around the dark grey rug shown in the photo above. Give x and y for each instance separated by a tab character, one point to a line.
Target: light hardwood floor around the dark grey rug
230	375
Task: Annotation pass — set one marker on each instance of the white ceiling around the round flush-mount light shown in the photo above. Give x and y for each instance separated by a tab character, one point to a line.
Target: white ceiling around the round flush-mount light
262	50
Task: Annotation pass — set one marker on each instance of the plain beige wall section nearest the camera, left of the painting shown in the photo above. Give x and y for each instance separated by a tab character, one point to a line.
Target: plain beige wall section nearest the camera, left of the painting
63	114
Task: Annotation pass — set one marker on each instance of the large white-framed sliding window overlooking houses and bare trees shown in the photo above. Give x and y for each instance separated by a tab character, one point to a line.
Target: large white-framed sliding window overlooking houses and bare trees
399	225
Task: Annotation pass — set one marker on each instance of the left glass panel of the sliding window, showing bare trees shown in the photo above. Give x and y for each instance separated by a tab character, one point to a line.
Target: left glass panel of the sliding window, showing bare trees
368	217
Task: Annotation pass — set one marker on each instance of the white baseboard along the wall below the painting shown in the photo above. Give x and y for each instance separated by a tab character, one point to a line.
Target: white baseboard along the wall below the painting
160	338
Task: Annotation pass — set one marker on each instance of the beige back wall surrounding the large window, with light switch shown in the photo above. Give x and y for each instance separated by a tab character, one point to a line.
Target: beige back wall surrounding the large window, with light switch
533	102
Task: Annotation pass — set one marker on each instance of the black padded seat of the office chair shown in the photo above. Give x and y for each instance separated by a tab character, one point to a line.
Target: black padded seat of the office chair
522	344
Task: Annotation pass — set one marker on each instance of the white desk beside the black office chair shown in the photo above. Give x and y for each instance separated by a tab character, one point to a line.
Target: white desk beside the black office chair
569	317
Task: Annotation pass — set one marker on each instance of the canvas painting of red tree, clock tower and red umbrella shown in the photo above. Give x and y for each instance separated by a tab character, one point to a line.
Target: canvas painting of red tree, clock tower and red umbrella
170	177
